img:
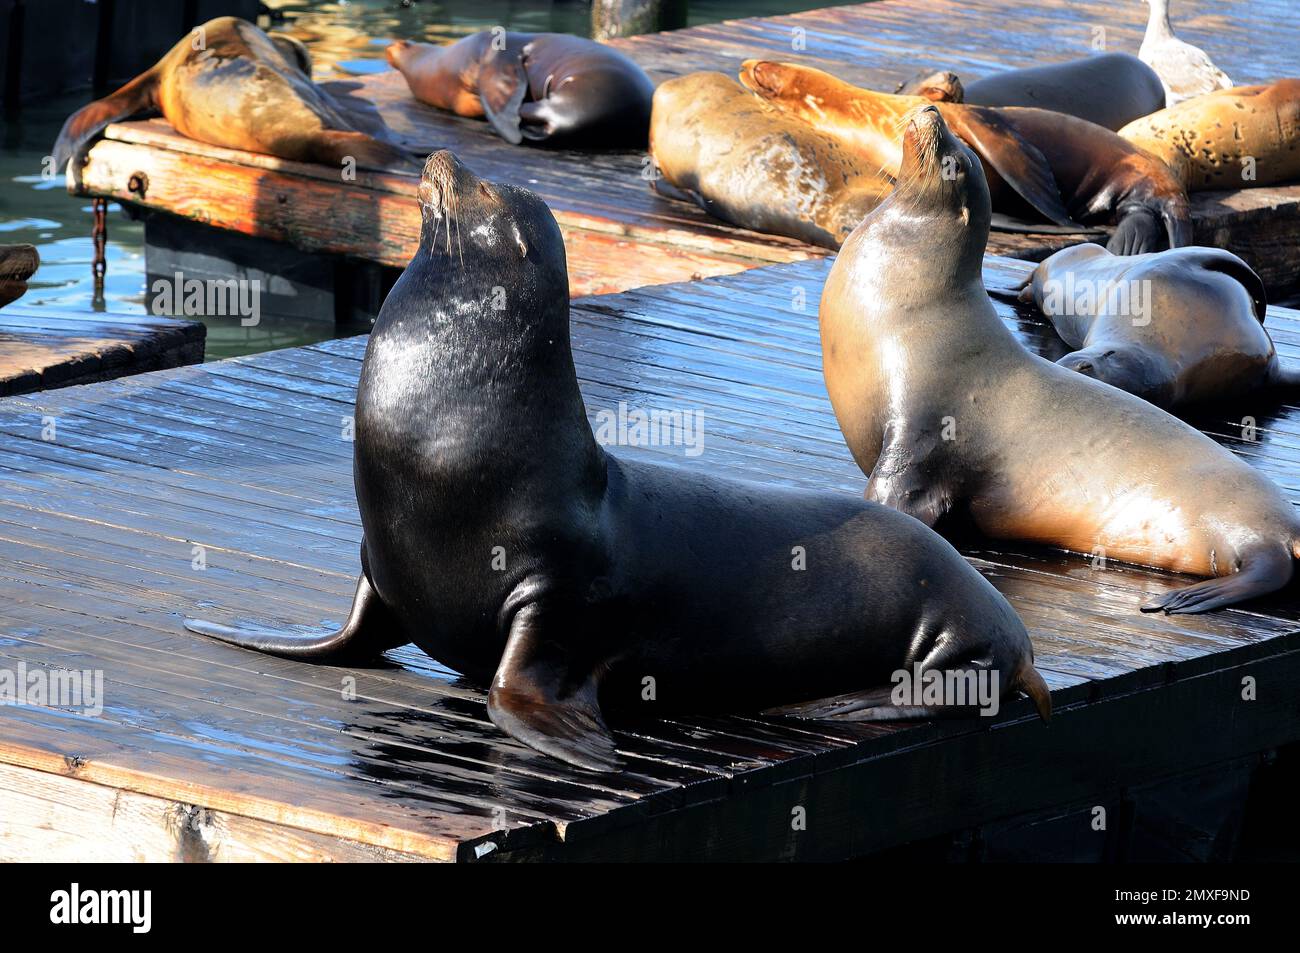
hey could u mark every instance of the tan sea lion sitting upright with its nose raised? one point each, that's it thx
(948, 413)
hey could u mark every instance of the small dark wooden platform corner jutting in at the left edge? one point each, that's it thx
(54, 348)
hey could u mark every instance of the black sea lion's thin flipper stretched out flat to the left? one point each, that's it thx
(369, 633)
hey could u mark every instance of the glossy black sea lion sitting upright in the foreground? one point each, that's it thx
(509, 545)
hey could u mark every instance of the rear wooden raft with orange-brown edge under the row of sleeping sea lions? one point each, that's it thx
(619, 233)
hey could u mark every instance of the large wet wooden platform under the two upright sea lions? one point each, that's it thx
(206, 752)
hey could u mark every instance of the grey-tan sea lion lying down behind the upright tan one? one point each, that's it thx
(1176, 328)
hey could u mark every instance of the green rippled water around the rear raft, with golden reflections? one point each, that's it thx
(41, 213)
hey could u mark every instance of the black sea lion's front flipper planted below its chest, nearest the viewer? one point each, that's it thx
(539, 699)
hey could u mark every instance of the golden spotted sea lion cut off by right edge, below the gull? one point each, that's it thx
(1241, 138)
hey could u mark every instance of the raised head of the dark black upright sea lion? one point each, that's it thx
(469, 222)
